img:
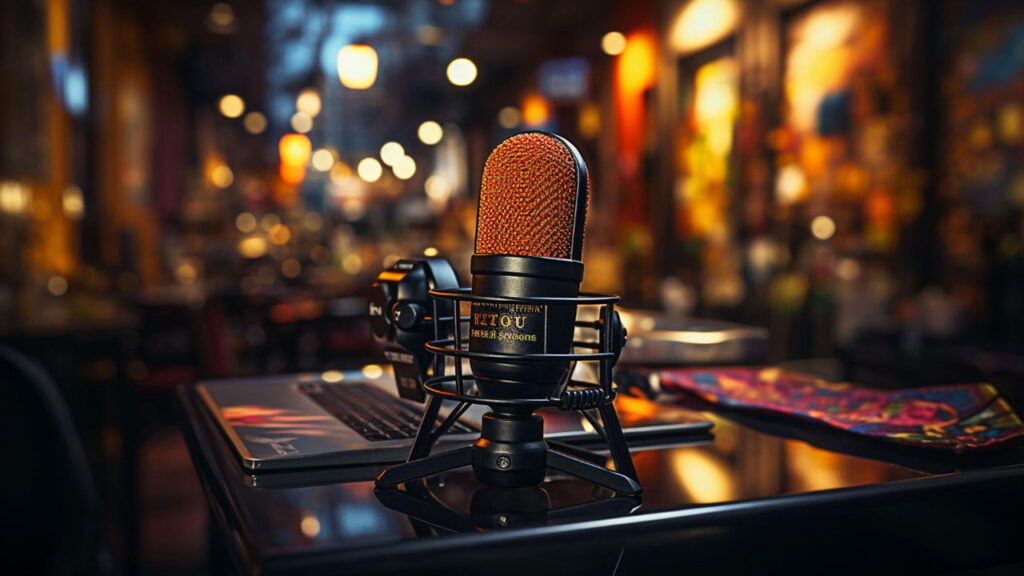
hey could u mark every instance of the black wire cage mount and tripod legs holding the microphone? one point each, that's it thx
(511, 451)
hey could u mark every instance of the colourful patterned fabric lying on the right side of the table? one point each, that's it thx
(954, 418)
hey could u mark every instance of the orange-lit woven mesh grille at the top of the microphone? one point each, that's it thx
(529, 198)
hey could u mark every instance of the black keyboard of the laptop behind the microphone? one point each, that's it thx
(371, 412)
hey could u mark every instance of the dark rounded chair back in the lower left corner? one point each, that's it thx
(49, 505)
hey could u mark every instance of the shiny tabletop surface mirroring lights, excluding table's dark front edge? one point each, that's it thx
(739, 465)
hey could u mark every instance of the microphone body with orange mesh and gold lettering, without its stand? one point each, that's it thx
(530, 228)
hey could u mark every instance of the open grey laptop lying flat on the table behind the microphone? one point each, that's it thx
(357, 419)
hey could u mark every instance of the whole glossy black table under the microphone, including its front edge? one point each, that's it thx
(750, 502)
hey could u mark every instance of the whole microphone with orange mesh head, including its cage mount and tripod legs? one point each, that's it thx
(527, 272)
